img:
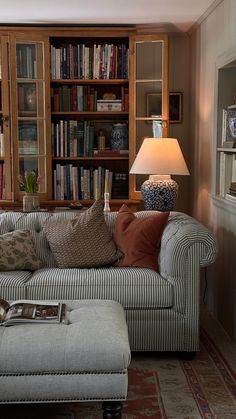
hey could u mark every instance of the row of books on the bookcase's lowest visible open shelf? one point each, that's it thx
(77, 182)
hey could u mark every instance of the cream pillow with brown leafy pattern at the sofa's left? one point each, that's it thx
(17, 251)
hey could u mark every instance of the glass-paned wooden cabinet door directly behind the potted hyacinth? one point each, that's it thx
(30, 124)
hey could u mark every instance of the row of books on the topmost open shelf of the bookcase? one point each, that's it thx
(102, 61)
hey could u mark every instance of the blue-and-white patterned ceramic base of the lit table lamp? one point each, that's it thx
(159, 195)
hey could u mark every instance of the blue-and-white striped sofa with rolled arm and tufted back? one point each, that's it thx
(162, 309)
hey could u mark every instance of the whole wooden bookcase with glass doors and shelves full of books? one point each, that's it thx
(52, 81)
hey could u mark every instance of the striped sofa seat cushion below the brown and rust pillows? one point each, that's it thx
(132, 287)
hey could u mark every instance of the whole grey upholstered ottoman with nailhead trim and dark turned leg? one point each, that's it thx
(86, 359)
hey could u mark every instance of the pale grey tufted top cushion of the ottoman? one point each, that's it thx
(94, 340)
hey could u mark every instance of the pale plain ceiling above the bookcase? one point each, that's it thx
(170, 15)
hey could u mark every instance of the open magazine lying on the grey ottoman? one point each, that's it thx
(28, 311)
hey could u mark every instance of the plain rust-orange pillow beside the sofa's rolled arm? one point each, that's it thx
(139, 238)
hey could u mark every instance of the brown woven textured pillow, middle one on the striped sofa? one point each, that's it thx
(84, 241)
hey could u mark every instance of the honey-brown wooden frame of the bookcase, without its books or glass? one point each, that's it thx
(9, 38)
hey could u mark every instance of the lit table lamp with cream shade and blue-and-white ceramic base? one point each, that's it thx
(159, 158)
